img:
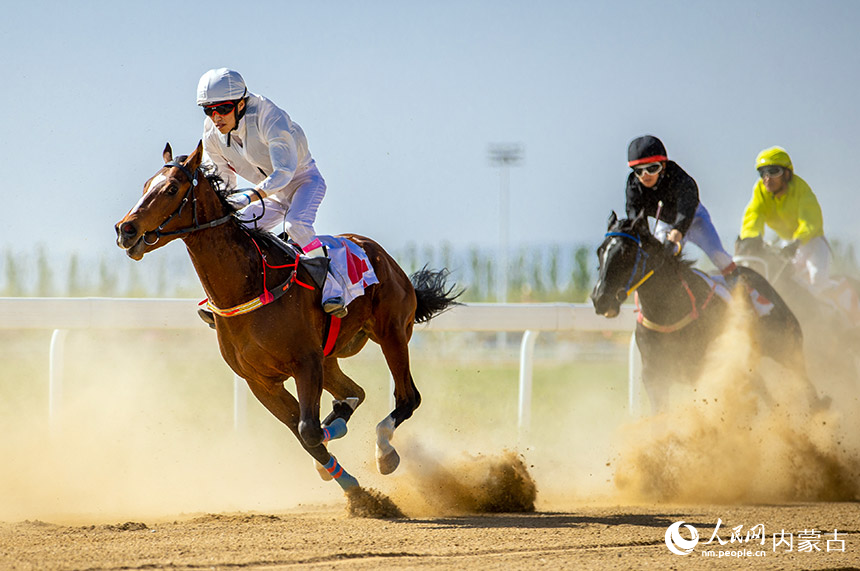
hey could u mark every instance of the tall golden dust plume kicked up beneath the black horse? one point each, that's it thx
(746, 433)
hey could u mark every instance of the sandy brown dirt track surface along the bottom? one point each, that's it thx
(325, 537)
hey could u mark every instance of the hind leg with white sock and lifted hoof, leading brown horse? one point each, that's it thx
(406, 397)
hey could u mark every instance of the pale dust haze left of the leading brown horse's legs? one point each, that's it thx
(143, 430)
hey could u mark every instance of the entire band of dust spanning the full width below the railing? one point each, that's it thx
(145, 432)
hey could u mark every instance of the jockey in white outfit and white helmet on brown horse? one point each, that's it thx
(247, 135)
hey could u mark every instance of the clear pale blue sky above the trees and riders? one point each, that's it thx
(400, 101)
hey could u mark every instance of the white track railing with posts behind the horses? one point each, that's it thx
(64, 314)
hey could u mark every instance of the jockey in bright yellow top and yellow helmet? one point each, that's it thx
(784, 201)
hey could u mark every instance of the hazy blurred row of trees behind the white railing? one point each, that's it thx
(556, 273)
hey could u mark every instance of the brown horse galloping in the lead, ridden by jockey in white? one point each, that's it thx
(281, 331)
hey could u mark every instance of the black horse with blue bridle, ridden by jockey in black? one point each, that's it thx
(680, 311)
